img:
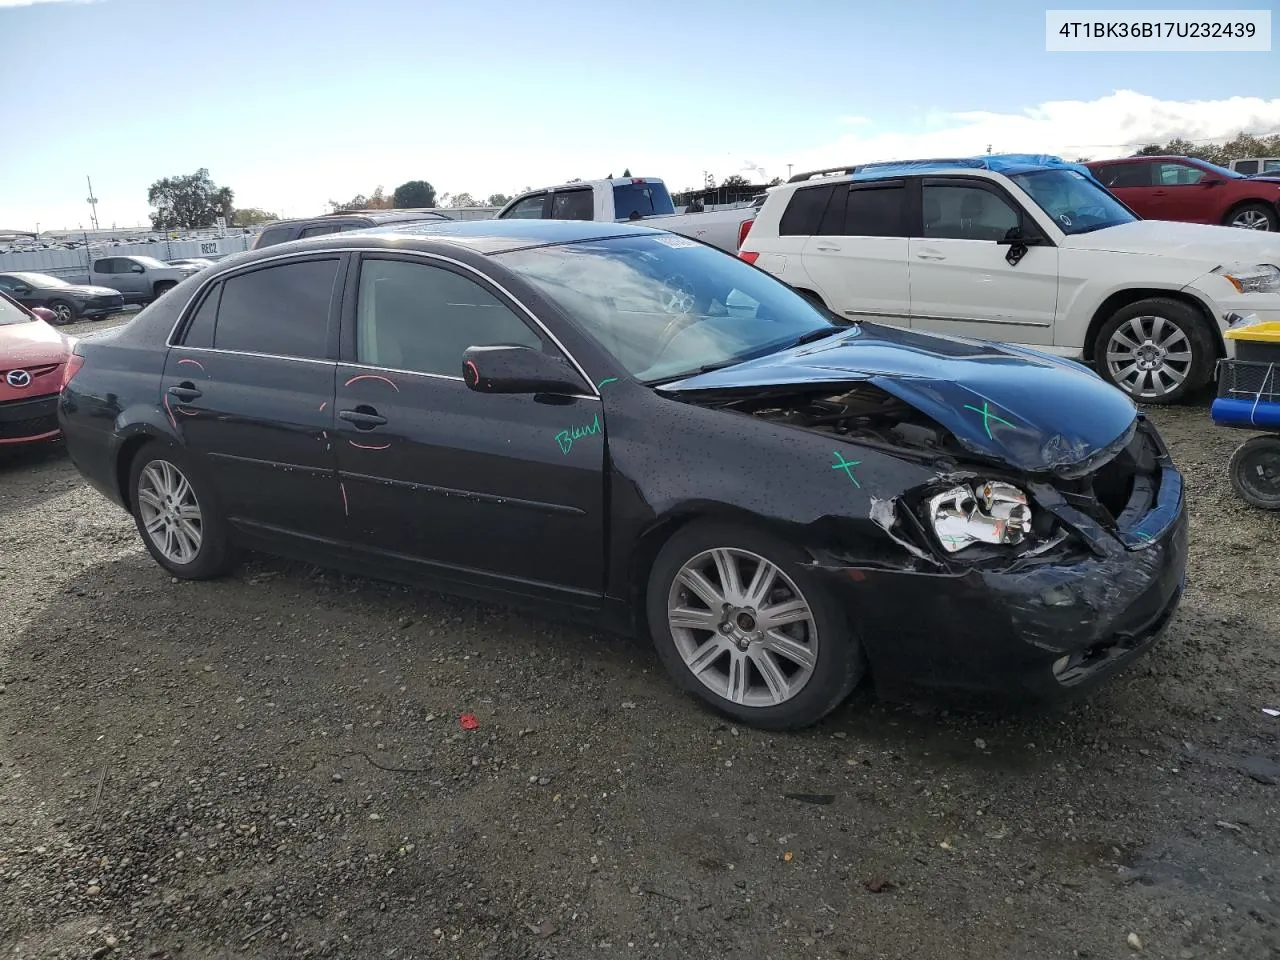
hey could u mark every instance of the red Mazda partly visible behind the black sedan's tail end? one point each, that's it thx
(33, 360)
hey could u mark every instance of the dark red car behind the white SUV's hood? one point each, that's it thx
(1192, 191)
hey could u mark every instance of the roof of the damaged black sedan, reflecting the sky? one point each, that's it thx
(481, 236)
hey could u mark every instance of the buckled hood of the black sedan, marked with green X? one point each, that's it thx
(1034, 412)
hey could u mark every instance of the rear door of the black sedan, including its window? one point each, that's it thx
(249, 388)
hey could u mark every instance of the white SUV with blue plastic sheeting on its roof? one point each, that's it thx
(1026, 250)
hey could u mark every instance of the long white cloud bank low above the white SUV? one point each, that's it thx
(1112, 126)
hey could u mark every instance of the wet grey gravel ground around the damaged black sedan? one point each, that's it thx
(272, 766)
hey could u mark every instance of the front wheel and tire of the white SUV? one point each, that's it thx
(1158, 351)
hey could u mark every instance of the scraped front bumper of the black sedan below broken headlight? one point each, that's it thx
(1045, 632)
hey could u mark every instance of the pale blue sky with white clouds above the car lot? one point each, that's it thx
(295, 103)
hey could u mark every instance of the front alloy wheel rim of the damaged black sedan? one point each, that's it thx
(743, 628)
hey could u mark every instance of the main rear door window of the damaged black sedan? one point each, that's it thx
(278, 310)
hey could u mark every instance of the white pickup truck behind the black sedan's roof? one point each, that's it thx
(632, 199)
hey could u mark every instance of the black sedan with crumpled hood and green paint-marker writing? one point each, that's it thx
(644, 432)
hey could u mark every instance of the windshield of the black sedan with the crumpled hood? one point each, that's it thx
(668, 307)
